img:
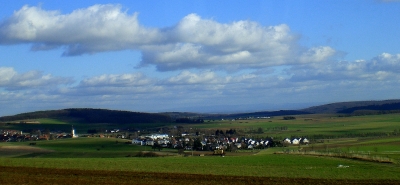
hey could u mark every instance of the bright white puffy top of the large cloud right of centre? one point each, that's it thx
(230, 37)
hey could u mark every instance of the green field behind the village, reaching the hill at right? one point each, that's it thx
(303, 125)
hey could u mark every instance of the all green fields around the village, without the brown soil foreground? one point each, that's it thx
(293, 162)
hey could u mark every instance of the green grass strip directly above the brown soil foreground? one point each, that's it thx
(294, 166)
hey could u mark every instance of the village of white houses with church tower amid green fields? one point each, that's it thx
(218, 140)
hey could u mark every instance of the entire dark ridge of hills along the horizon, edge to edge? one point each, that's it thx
(87, 115)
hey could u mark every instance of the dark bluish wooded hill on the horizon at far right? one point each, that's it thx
(350, 107)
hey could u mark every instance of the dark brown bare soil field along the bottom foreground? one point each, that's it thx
(29, 175)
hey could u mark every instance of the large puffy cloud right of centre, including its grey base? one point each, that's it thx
(202, 43)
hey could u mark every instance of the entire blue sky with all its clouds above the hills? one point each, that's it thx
(196, 56)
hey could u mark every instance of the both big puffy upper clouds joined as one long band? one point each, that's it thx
(193, 42)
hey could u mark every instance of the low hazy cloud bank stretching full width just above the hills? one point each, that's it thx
(323, 81)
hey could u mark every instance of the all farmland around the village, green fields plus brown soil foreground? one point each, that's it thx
(102, 160)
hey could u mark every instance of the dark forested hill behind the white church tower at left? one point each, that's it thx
(92, 116)
